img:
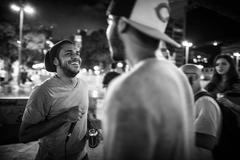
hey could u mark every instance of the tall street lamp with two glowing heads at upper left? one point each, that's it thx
(21, 9)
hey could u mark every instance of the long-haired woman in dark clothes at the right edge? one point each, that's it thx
(225, 82)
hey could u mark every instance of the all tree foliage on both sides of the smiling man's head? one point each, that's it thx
(94, 51)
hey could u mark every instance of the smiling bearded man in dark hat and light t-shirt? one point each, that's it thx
(56, 112)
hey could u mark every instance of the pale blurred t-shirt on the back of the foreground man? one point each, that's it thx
(149, 114)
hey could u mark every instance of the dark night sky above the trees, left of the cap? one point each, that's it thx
(66, 16)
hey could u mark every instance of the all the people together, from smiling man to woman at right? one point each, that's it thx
(153, 111)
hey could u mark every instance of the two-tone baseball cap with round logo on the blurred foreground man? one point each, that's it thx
(147, 18)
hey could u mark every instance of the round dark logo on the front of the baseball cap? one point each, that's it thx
(162, 11)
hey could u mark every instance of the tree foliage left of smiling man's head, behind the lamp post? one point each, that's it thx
(34, 42)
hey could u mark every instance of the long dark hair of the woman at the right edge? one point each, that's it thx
(232, 73)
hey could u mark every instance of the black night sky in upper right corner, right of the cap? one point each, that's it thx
(221, 21)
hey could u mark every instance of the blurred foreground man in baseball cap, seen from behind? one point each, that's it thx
(149, 110)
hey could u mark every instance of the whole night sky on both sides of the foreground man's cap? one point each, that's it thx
(204, 23)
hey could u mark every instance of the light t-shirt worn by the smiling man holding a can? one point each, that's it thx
(50, 99)
